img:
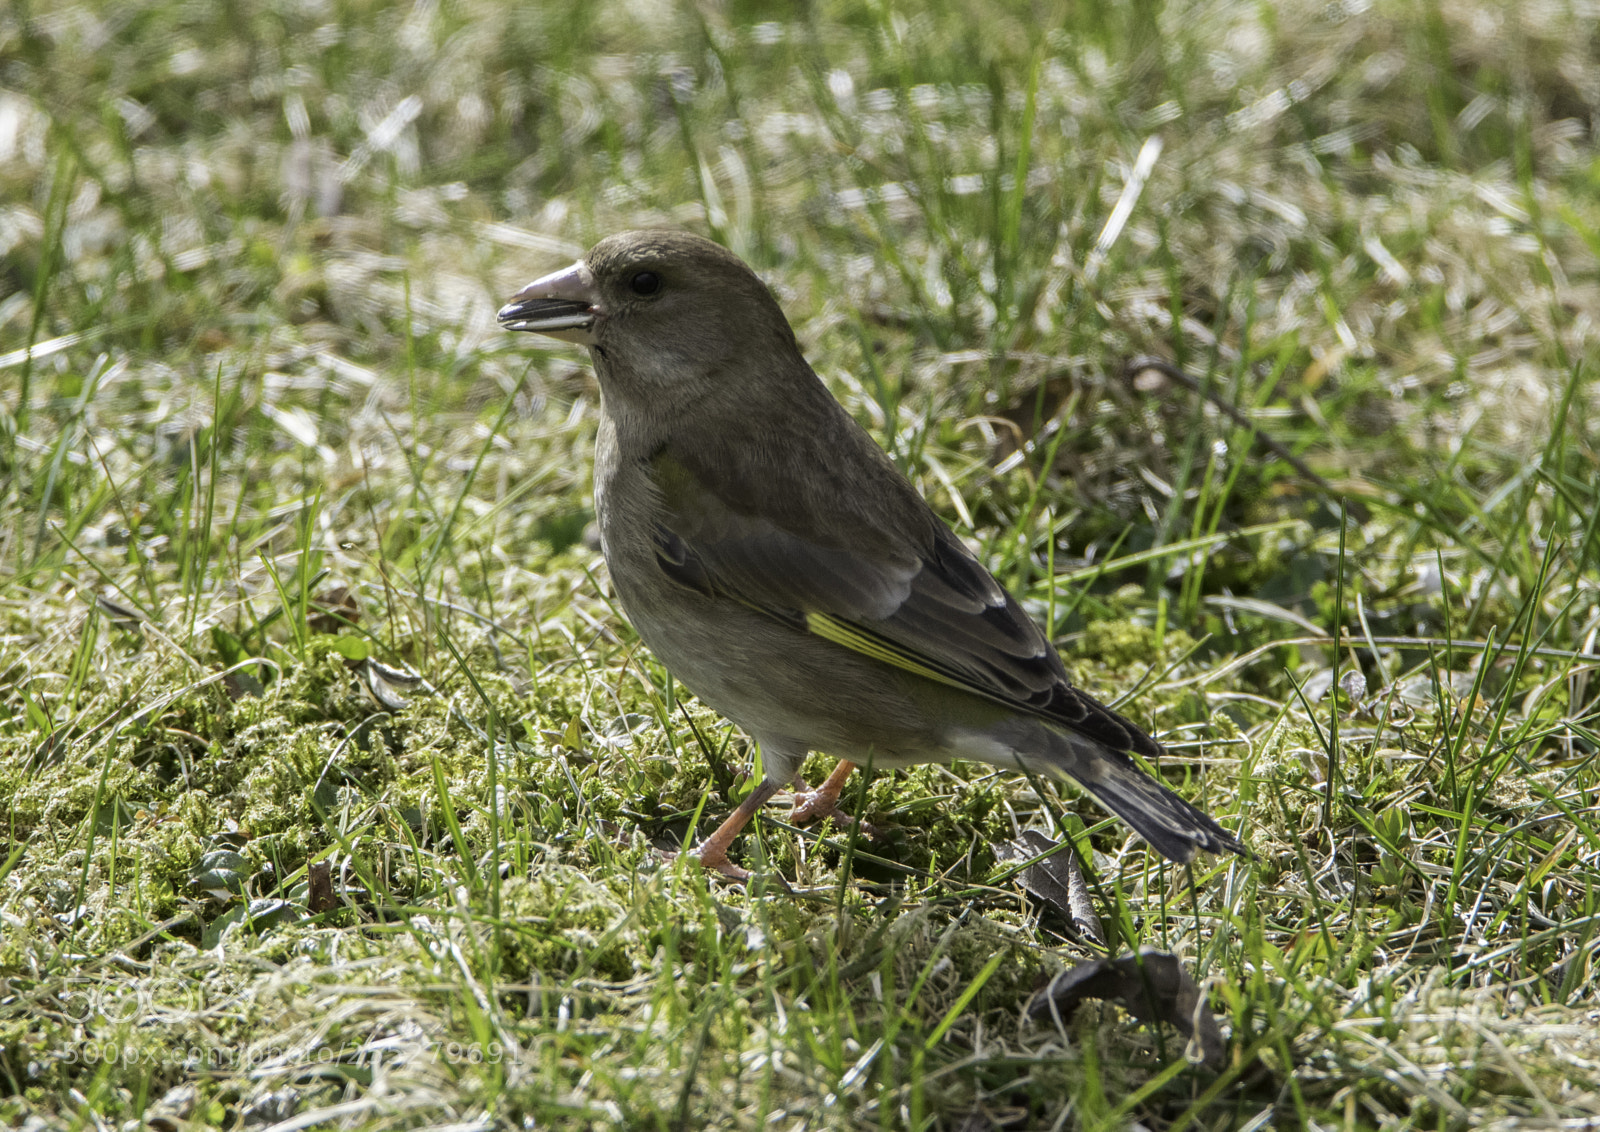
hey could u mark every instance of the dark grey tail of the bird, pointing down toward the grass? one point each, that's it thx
(1164, 819)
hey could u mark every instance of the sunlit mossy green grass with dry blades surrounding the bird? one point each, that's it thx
(258, 429)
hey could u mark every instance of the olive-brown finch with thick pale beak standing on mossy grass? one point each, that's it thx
(780, 565)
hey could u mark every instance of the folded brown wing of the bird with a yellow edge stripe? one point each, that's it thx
(903, 591)
